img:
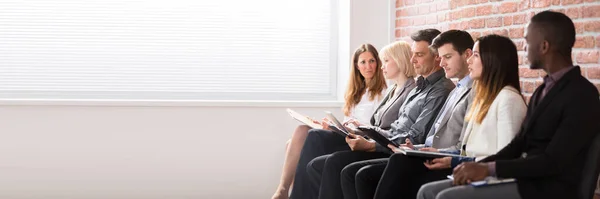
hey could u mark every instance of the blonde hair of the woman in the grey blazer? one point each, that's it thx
(401, 53)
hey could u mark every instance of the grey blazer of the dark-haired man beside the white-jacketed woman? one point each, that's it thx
(449, 131)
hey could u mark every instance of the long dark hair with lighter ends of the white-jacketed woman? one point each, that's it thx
(500, 68)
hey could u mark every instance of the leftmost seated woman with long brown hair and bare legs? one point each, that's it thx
(364, 93)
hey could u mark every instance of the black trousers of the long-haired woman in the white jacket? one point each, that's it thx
(403, 176)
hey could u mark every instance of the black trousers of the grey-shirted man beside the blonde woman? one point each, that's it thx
(325, 171)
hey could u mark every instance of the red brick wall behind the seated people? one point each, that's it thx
(508, 18)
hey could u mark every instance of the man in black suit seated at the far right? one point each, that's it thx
(547, 156)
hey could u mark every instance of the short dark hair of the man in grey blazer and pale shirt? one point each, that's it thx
(461, 40)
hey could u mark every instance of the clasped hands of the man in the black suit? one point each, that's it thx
(469, 172)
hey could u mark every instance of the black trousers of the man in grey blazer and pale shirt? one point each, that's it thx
(369, 171)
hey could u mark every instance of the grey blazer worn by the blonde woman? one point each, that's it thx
(389, 113)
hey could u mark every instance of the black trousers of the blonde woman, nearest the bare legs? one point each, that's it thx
(318, 142)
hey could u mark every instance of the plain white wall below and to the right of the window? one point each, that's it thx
(146, 151)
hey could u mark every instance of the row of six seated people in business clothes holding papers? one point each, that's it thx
(483, 117)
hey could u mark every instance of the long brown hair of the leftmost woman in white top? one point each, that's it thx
(357, 86)
